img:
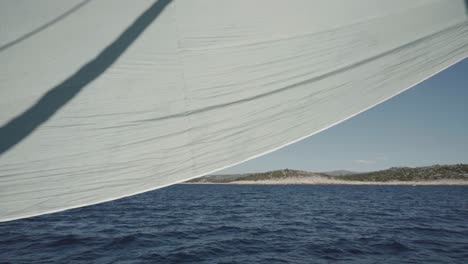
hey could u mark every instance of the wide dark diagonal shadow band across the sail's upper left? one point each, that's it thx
(24, 124)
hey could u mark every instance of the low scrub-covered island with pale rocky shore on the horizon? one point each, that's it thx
(430, 175)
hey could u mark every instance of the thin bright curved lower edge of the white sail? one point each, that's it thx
(236, 163)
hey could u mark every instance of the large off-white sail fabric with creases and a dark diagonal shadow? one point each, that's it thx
(104, 99)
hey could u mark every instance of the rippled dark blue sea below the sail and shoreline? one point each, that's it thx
(252, 224)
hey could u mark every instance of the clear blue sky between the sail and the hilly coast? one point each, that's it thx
(426, 125)
